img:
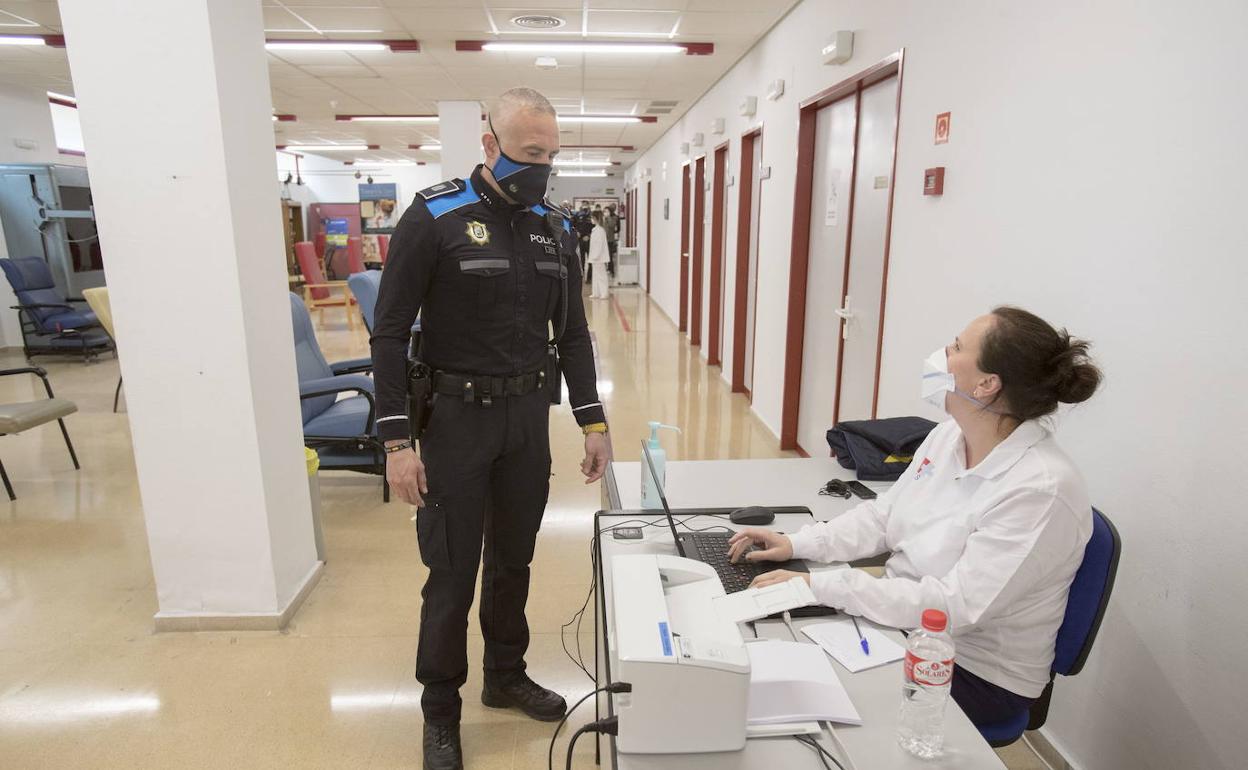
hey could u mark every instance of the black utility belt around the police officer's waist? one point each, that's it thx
(424, 383)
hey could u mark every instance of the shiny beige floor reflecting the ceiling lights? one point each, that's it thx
(85, 683)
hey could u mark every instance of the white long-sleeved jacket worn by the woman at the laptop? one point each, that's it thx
(995, 547)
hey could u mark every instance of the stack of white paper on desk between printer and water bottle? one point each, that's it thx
(796, 682)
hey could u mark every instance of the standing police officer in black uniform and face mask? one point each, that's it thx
(492, 270)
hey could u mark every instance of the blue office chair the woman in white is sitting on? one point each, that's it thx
(1085, 610)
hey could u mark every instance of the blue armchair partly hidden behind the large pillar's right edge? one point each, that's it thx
(343, 431)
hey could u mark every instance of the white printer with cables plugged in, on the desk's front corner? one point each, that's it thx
(685, 657)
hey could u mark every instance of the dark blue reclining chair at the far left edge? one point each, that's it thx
(49, 323)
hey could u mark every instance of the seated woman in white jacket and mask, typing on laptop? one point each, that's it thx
(988, 525)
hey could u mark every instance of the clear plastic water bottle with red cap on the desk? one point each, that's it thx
(925, 692)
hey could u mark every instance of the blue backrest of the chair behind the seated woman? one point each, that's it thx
(1090, 596)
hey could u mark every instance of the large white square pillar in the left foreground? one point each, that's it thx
(175, 107)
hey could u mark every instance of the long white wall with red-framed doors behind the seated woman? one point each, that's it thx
(1094, 177)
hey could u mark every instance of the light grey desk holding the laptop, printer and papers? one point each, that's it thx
(877, 692)
